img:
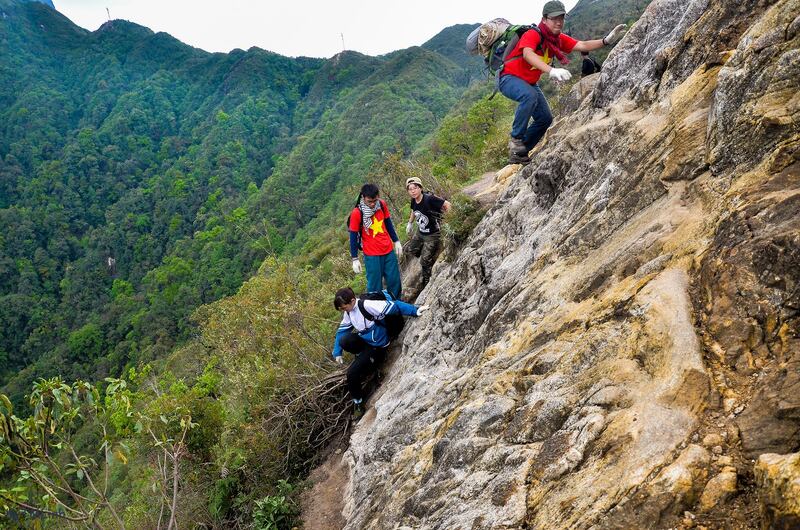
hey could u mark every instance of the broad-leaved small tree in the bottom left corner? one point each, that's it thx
(52, 478)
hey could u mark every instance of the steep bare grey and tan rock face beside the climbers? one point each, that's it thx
(643, 266)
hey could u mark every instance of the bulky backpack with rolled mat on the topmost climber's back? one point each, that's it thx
(496, 39)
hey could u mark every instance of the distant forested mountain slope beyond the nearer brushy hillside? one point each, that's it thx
(141, 177)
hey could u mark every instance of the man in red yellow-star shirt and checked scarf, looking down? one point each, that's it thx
(370, 222)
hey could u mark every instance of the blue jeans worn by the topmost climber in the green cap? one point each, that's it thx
(532, 104)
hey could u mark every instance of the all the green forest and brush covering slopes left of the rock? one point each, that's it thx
(171, 228)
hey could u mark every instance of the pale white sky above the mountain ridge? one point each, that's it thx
(312, 28)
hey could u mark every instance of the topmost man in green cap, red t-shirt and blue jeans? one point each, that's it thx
(524, 66)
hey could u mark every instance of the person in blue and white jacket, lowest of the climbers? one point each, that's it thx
(367, 328)
